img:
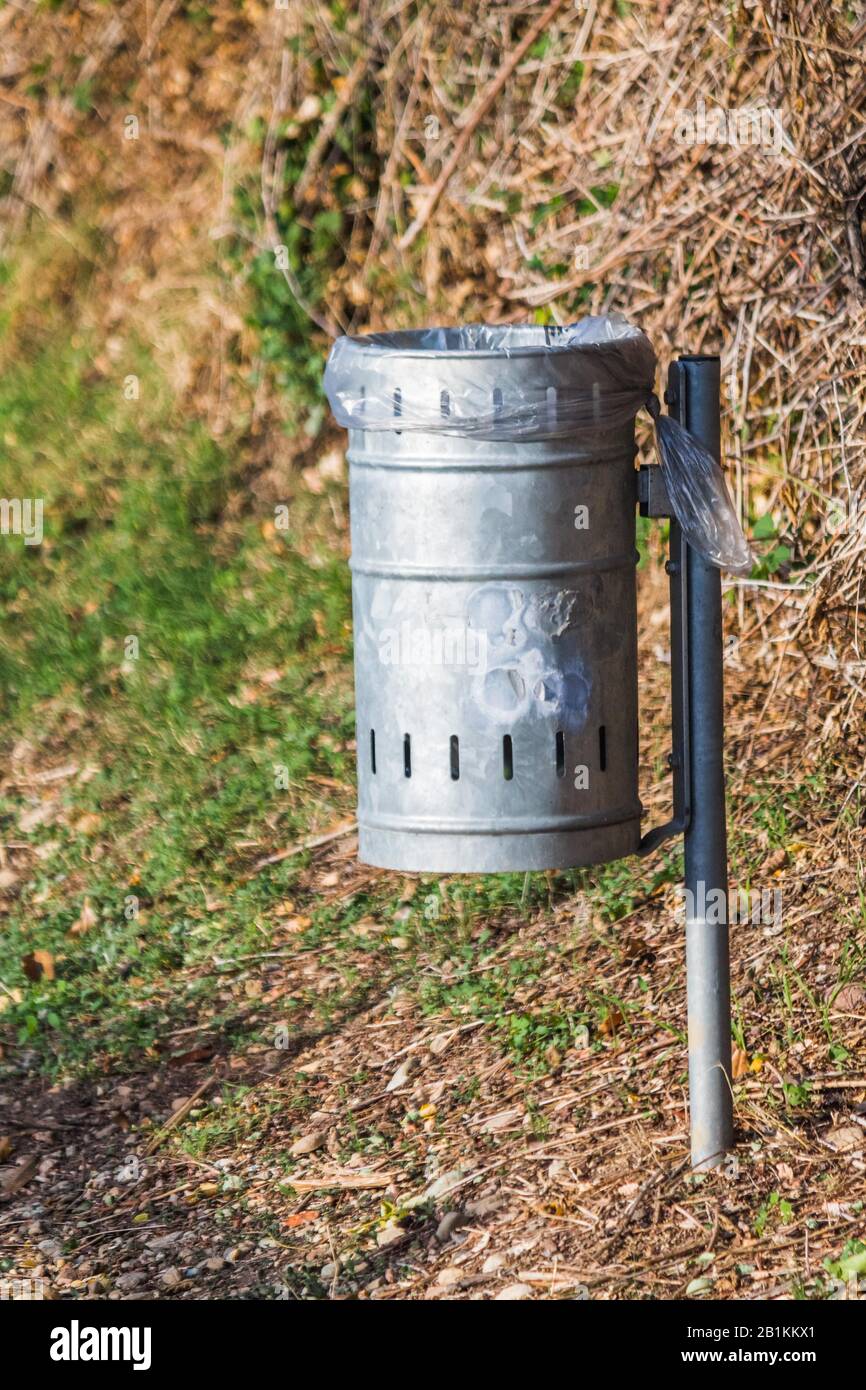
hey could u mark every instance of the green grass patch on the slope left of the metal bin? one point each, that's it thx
(136, 640)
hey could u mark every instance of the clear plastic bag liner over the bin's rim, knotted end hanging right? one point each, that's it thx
(515, 383)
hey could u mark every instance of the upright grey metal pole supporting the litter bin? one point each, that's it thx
(694, 401)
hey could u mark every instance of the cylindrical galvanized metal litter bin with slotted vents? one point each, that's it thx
(496, 630)
